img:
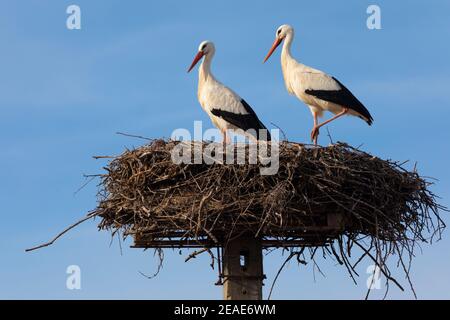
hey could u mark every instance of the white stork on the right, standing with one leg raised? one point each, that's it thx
(319, 91)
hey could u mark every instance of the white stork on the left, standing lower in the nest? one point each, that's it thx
(226, 109)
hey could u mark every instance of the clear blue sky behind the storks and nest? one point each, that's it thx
(64, 94)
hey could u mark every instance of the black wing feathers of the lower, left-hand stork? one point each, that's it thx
(243, 121)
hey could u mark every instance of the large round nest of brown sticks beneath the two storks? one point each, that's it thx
(377, 203)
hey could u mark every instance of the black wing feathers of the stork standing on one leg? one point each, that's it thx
(344, 98)
